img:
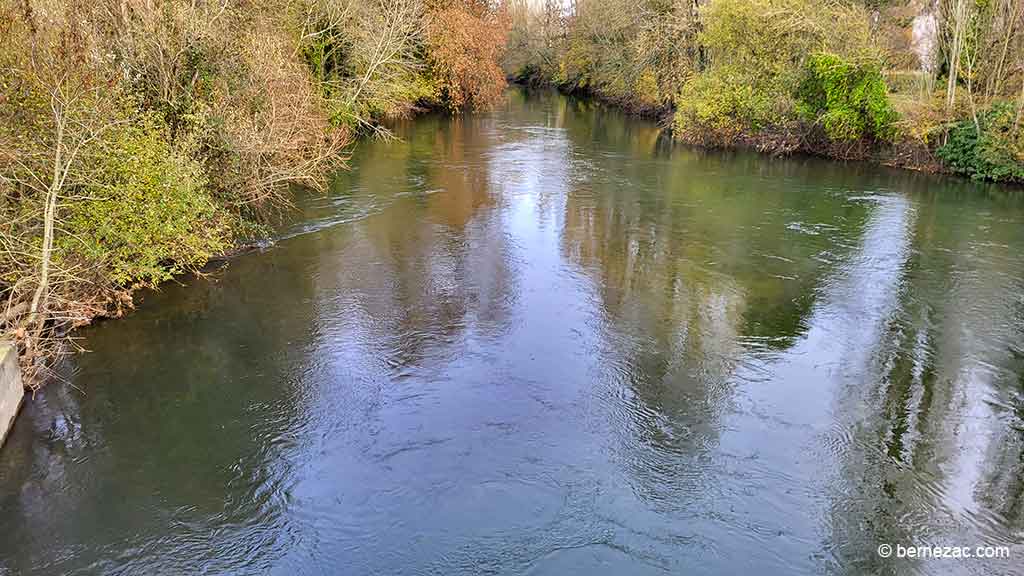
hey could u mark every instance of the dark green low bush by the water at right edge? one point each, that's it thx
(994, 150)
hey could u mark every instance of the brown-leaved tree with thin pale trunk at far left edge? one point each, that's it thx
(56, 106)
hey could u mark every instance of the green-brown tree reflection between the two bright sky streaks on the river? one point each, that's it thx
(696, 263)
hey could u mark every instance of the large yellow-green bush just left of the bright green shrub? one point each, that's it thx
(756, 52)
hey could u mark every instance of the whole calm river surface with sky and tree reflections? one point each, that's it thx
(545, 341)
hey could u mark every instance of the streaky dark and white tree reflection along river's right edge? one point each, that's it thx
(933, 457)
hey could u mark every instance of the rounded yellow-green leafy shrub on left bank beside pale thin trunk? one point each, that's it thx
(146, 214)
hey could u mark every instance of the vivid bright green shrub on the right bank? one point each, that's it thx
(849, 101)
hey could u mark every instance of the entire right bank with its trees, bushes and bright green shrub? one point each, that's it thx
(849, 81)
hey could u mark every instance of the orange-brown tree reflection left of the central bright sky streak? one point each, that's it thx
(438, 262)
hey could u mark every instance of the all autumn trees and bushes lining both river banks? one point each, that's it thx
(141, 139)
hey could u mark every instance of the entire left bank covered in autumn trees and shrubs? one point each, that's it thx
(140, 141)
